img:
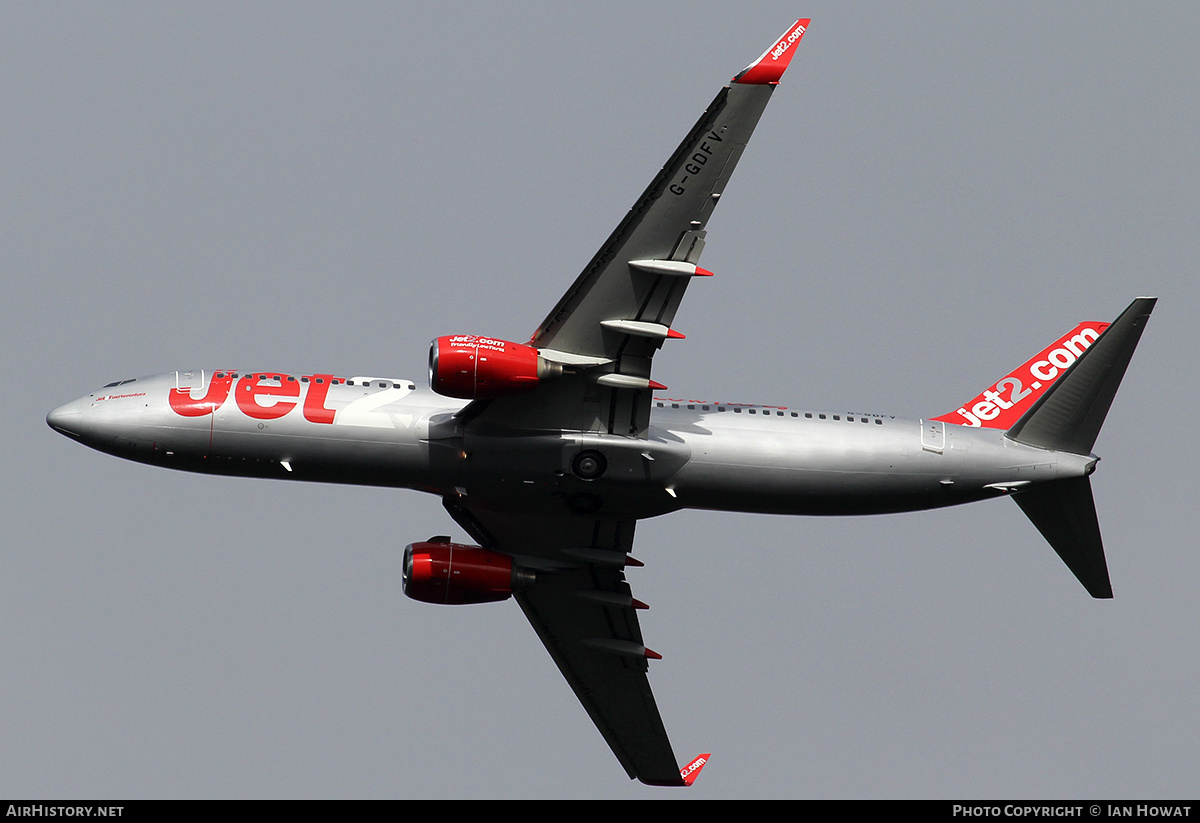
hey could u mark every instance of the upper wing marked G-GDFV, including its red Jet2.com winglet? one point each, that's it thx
(617, 314)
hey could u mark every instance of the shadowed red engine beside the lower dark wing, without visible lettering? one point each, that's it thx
(454, 574)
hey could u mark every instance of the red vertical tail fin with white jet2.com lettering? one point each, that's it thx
(1003, 405)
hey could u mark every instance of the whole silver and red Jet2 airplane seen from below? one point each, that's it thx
(549, 453)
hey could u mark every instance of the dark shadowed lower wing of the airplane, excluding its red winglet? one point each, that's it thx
(584, 612)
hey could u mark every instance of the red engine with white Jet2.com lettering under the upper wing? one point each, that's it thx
(477, 368)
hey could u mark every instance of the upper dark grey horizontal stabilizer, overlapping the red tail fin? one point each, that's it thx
(1069, 417)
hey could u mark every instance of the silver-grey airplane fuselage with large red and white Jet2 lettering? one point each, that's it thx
(699, 455)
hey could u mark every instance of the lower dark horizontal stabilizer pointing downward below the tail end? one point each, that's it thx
(1065, 514)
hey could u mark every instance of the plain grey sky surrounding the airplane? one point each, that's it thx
(935, 193)
